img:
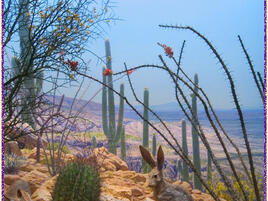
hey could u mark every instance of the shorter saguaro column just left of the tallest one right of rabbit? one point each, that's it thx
(185, 170)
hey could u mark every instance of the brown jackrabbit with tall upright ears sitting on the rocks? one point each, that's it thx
(162, 190)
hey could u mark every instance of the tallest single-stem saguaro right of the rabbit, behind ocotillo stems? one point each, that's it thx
(196, 152)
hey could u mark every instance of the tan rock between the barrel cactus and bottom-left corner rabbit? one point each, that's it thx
(35, 179)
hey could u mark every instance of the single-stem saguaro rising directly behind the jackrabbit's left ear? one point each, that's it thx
(145, 137)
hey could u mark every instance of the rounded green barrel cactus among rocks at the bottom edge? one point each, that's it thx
(77, 182)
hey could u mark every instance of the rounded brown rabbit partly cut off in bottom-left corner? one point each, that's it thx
(18, 191)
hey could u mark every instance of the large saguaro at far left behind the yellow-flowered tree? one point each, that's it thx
(32, 83)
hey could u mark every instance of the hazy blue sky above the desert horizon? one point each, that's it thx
(134, 41)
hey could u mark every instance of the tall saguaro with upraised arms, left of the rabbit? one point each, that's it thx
(112, 134)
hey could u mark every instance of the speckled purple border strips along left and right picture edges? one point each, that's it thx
(265, 100)
